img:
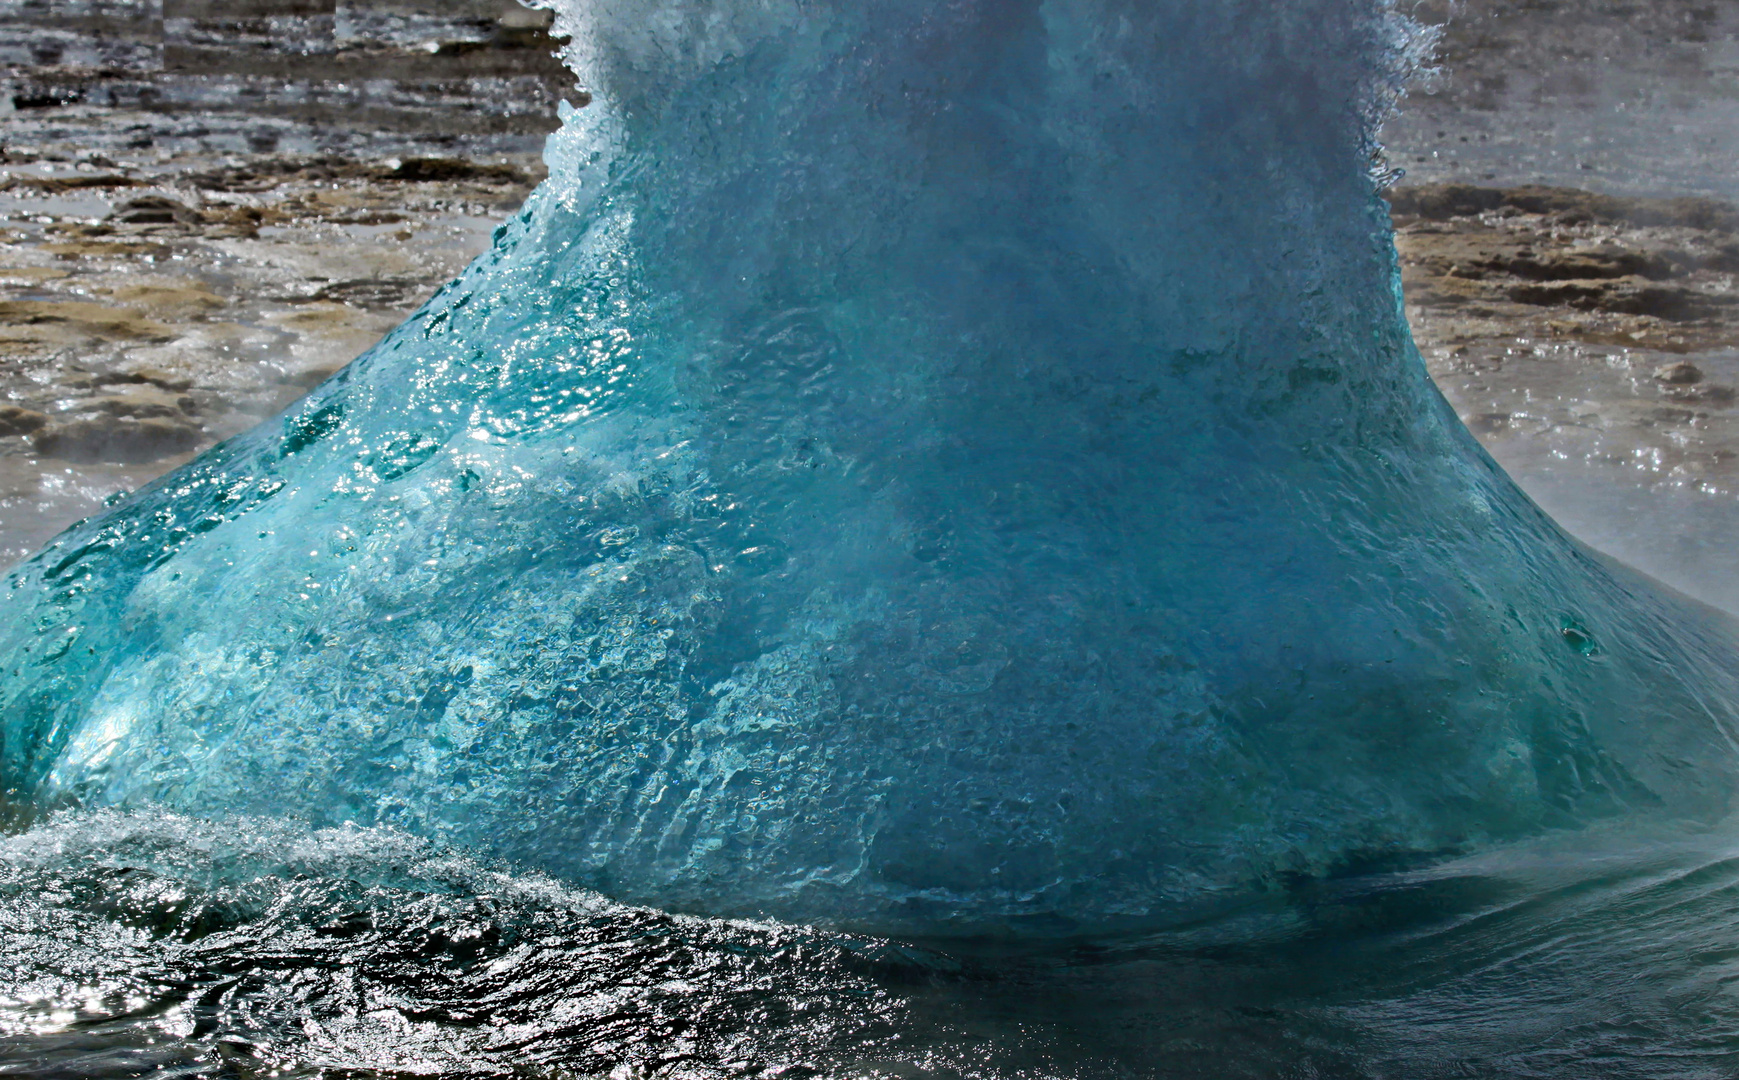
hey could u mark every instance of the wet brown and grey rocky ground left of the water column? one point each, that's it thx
(210, 208)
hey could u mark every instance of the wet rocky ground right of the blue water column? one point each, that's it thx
(1547, 312)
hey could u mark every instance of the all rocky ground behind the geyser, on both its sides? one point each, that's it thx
(210, 206)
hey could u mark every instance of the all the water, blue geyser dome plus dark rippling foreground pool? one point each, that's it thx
(940, 472)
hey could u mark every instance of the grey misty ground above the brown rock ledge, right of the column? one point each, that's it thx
(1627, 97)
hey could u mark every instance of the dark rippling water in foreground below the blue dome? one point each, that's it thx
(159, 945)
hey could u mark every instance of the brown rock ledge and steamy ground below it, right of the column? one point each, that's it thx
(1592, 343)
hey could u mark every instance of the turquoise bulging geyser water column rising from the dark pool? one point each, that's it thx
(912, 463)
